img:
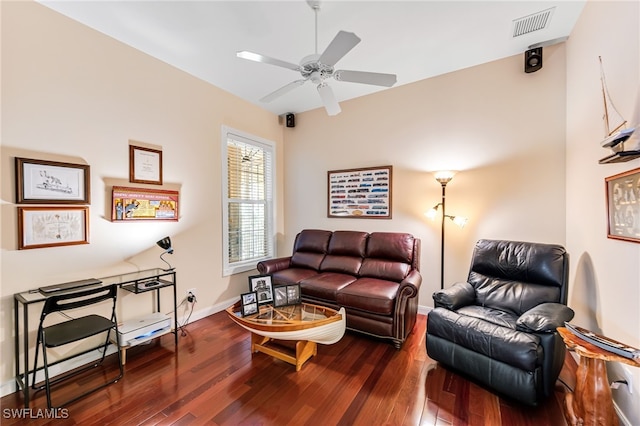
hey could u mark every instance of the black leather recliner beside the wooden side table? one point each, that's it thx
(499, 327)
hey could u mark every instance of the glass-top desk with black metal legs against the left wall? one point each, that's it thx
(134, 282)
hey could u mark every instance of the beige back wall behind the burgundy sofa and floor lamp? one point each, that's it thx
(501, 128)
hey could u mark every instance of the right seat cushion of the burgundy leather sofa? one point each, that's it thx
(370, 295)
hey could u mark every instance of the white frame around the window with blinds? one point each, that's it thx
(228, 267)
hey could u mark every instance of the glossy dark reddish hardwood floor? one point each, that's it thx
(213, 379)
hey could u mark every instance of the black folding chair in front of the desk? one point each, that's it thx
(74, 330)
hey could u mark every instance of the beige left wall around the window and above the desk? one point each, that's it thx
(72, 94)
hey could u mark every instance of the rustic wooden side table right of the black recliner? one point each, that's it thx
(591, 403)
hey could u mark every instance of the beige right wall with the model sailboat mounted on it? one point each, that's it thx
(605, 276)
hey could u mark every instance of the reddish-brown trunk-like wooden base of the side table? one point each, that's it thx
(591, 402)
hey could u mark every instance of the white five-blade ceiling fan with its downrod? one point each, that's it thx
(319, 67)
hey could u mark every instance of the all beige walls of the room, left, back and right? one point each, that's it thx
(72, 94)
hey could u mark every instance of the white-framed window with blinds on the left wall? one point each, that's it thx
(248, 164)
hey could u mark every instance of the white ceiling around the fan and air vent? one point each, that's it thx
(413, 39)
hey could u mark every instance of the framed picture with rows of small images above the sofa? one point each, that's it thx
(360, 193)
